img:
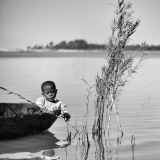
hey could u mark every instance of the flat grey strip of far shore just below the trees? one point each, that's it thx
(69, 53)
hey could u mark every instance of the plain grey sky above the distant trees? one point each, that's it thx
(28, 22)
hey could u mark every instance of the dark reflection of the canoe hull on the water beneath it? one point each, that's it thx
(33, 143)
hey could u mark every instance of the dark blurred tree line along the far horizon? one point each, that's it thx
(83, 45)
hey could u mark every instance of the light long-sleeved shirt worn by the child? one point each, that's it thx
(58, 105)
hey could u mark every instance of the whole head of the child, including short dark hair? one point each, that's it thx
(49, 90)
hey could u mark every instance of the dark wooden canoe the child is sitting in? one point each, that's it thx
(20, 119)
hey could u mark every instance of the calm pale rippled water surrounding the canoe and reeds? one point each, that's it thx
(25, 75)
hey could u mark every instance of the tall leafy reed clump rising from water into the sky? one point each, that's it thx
(119, 66)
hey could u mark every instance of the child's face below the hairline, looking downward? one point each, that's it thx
(49, 92)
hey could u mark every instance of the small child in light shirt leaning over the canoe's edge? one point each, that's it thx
(49, 102)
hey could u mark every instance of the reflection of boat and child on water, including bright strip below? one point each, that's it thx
(38, 146)
